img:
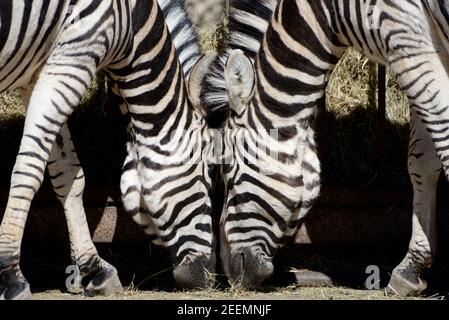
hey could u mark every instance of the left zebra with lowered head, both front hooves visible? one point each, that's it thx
(53, 50)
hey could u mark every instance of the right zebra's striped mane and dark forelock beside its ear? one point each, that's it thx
(248, 22)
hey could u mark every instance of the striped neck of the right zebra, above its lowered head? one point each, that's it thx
(293, 65)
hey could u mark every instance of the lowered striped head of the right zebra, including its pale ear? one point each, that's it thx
(263, 177)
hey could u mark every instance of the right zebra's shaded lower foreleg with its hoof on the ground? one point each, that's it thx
(424, 169)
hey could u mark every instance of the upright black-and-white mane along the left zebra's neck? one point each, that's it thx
(183, 33)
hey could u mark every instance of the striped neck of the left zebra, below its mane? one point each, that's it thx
(156, 98)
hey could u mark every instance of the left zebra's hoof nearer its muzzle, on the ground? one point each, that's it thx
(105, 283)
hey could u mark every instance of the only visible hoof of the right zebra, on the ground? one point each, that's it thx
(401, 285)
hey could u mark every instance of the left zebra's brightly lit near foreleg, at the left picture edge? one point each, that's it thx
(54, 97)
